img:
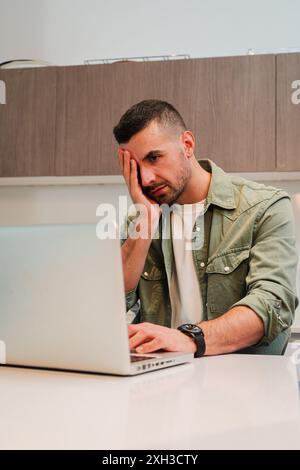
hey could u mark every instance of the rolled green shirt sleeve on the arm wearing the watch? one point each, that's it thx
(271, 279)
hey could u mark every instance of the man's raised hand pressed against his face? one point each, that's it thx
(130, 172)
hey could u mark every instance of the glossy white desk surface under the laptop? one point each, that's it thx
(233, 401)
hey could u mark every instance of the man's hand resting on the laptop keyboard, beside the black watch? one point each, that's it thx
(148, 337)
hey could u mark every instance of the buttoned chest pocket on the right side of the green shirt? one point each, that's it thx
(226, 280)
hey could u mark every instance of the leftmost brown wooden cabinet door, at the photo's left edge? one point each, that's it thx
(27, 122)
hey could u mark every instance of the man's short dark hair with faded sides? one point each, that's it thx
(140, 115)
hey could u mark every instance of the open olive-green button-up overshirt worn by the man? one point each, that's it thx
(248, 258)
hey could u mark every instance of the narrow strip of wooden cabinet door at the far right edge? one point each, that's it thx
(288, 112)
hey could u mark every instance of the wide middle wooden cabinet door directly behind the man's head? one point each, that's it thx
(229, 104)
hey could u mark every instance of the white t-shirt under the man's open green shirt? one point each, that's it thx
(185, 295)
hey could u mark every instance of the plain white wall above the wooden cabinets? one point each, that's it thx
(70, 31)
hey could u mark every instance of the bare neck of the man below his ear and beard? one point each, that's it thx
(198, 185)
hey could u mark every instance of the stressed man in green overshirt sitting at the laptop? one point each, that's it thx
(233, 292)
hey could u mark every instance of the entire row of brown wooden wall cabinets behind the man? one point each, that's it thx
(59, 120)
